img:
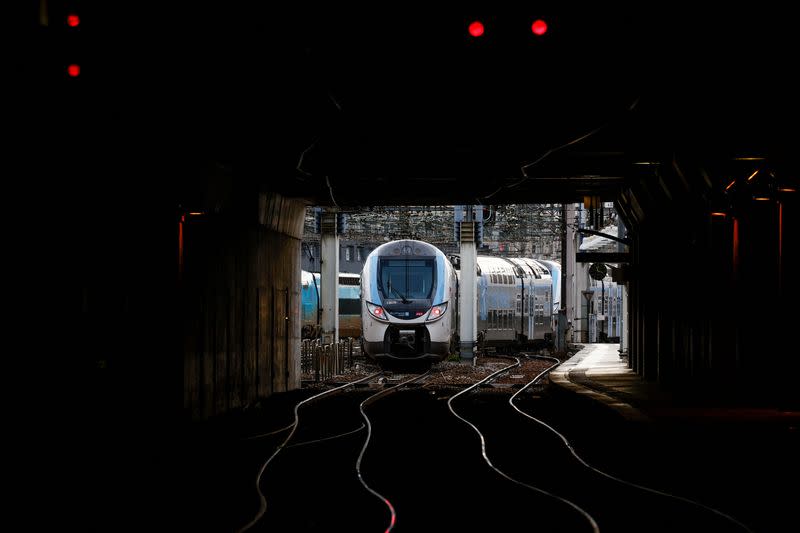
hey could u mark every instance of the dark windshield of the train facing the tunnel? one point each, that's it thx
(407, 279)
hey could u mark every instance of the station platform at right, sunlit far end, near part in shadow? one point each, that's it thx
(601, 373)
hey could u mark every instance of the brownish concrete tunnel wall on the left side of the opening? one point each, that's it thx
(240, 285)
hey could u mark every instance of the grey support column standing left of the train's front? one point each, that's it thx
(329, 278)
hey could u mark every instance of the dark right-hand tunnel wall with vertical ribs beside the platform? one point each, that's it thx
(711, 297)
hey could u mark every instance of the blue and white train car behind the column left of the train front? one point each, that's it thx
(349, 305)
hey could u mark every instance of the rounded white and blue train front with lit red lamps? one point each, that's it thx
(407, 291)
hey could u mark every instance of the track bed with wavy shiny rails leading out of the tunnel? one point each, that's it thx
(473, 449)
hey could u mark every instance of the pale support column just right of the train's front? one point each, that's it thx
(468, 316)
